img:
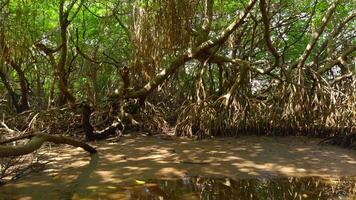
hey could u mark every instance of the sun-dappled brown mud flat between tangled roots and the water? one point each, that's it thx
(71, 172)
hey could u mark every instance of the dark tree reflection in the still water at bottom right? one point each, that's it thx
(224, 188)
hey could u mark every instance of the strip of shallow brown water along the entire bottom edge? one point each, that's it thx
(207, 188)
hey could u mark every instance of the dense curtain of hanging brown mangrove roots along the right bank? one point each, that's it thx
(293, 111)
